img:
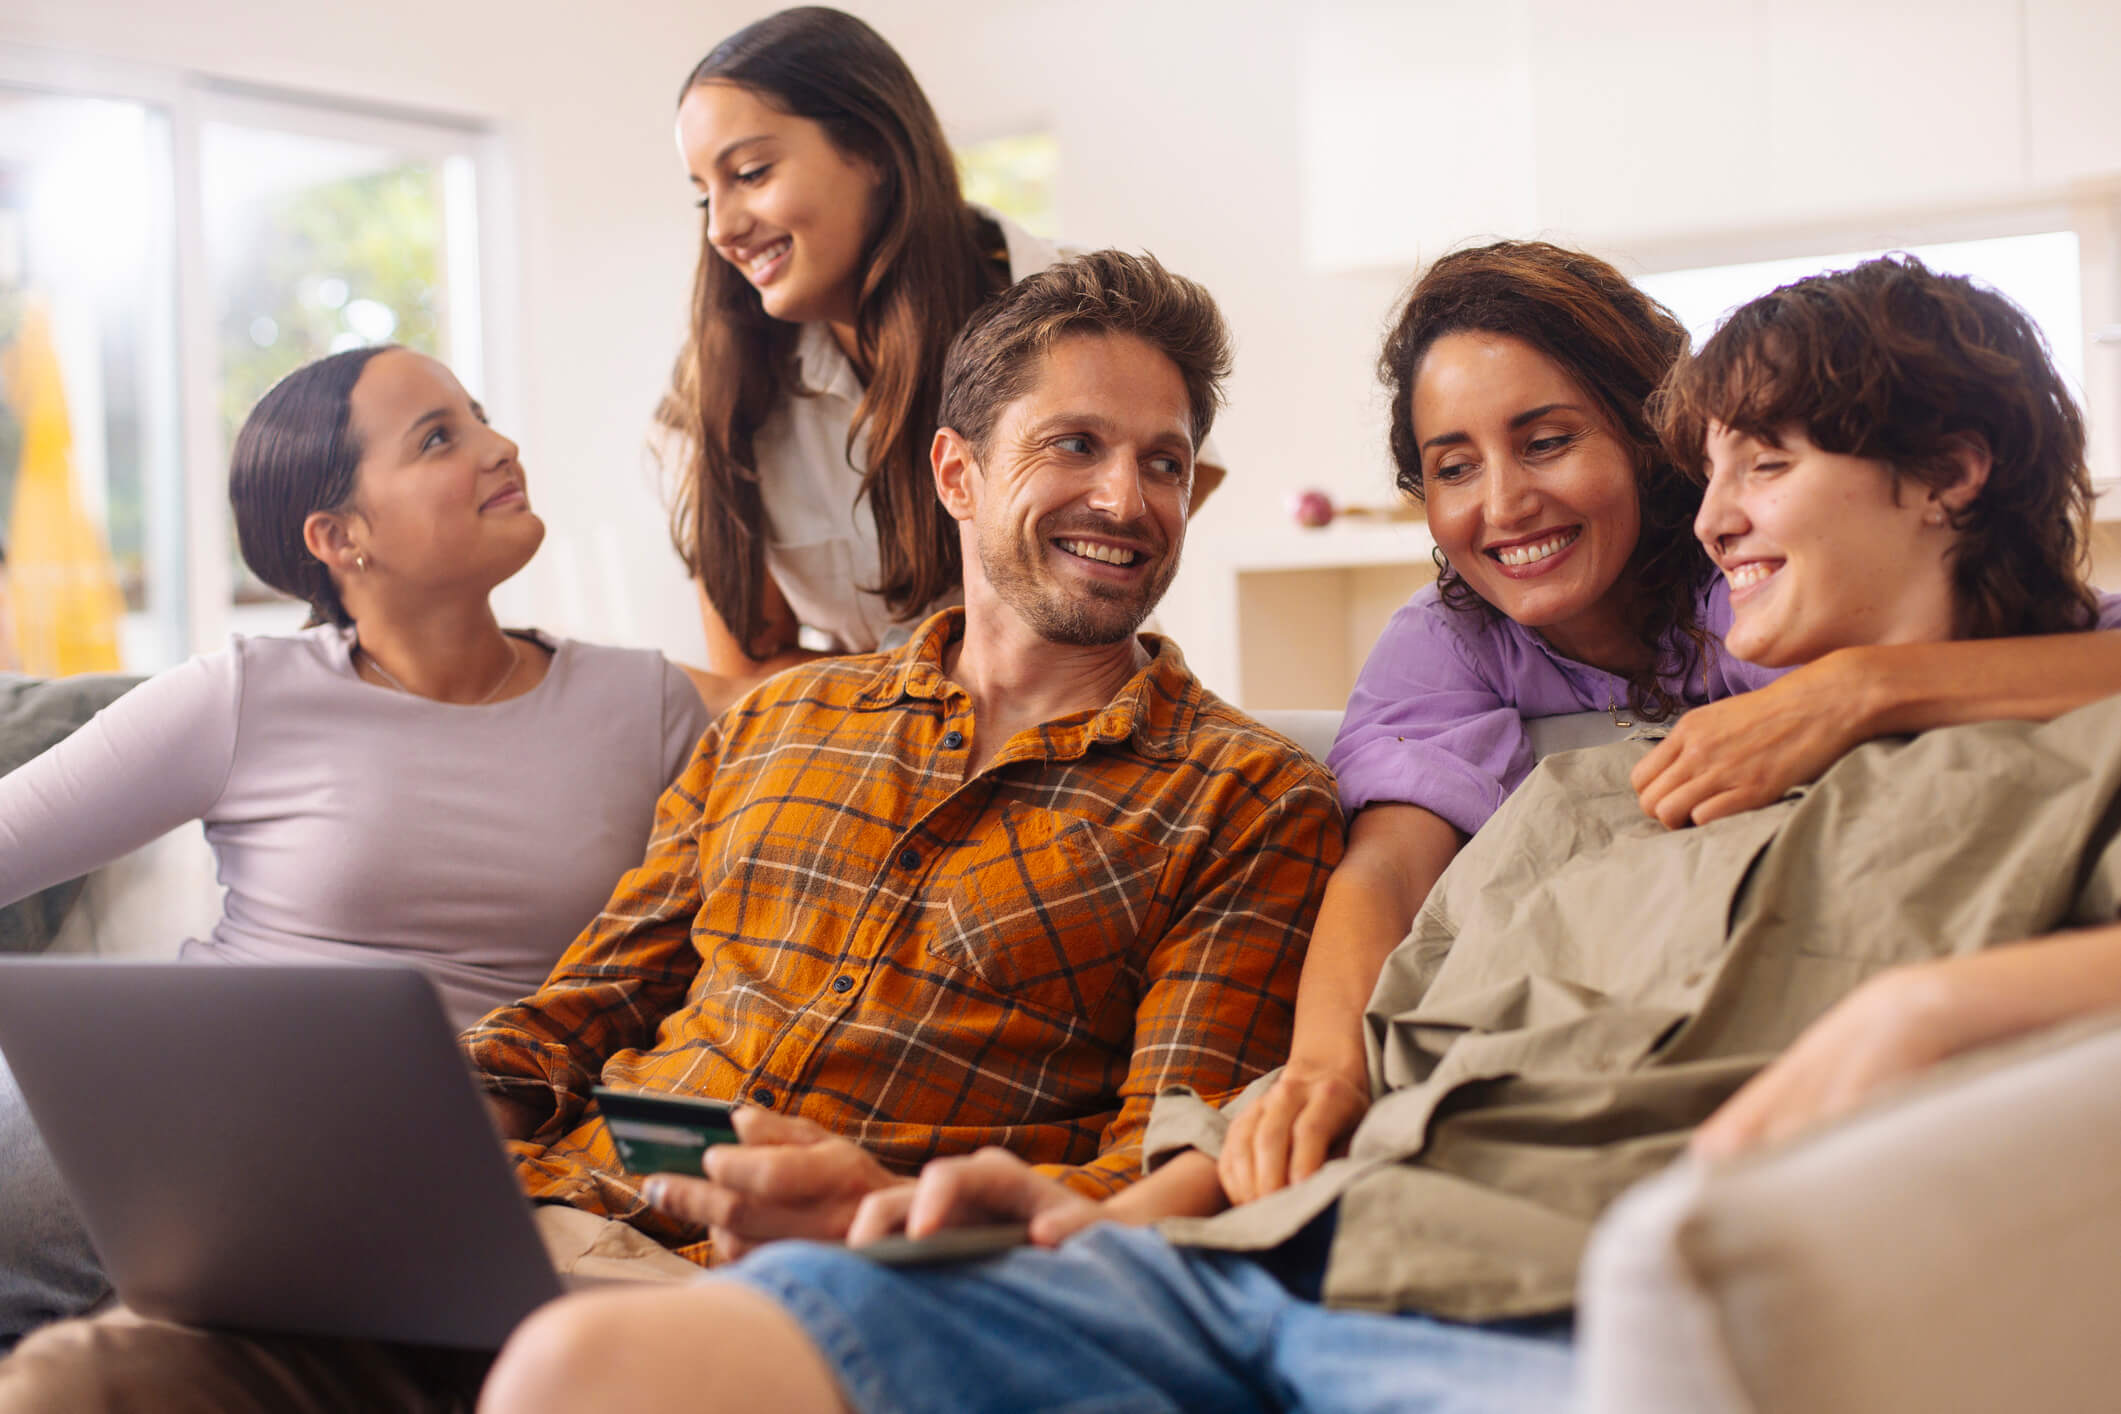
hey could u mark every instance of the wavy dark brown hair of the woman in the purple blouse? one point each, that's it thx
(1617, 344)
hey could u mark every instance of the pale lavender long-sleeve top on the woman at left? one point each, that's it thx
(355, 824)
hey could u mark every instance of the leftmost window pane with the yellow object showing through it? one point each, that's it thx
(88, 347)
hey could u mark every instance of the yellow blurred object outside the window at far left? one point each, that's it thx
(63, 588)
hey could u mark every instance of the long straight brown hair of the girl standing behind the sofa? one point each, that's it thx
(924, 270)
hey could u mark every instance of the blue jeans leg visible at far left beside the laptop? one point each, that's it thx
(48, 1267)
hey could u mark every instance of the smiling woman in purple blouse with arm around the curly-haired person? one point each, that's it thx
(1571, 582)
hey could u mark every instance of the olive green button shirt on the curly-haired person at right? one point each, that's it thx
(1585, 987)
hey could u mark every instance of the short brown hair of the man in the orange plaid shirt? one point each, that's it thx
(998, 353)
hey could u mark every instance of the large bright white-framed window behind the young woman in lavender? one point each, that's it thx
(188, 245)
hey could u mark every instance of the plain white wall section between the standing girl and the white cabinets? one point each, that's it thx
(1182, 132)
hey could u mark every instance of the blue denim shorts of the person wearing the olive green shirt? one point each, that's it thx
(1119, 1322)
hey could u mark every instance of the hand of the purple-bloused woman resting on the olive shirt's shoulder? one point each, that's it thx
(1749, 752)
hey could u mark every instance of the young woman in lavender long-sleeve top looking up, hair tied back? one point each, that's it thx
(402, 781)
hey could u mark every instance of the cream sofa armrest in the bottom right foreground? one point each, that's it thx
(1948, 1250)
